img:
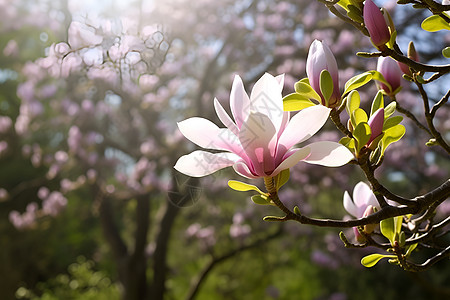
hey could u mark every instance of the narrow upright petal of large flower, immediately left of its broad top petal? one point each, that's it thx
(239, 101)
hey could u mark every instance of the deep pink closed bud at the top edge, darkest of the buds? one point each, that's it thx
(375, 24)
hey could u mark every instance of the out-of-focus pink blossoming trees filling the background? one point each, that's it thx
(90, 97)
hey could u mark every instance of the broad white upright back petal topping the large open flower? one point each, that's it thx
(266, 99)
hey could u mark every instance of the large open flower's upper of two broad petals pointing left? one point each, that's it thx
(207, 135)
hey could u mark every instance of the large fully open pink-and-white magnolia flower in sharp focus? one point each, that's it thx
(259, 141)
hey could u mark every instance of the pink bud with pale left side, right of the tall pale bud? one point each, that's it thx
(392, 73)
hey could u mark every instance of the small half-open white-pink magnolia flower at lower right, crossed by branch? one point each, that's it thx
(362, 205)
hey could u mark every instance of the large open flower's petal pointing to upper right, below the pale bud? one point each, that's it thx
(304, 125)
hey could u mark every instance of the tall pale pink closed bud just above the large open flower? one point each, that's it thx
(321, 58)
